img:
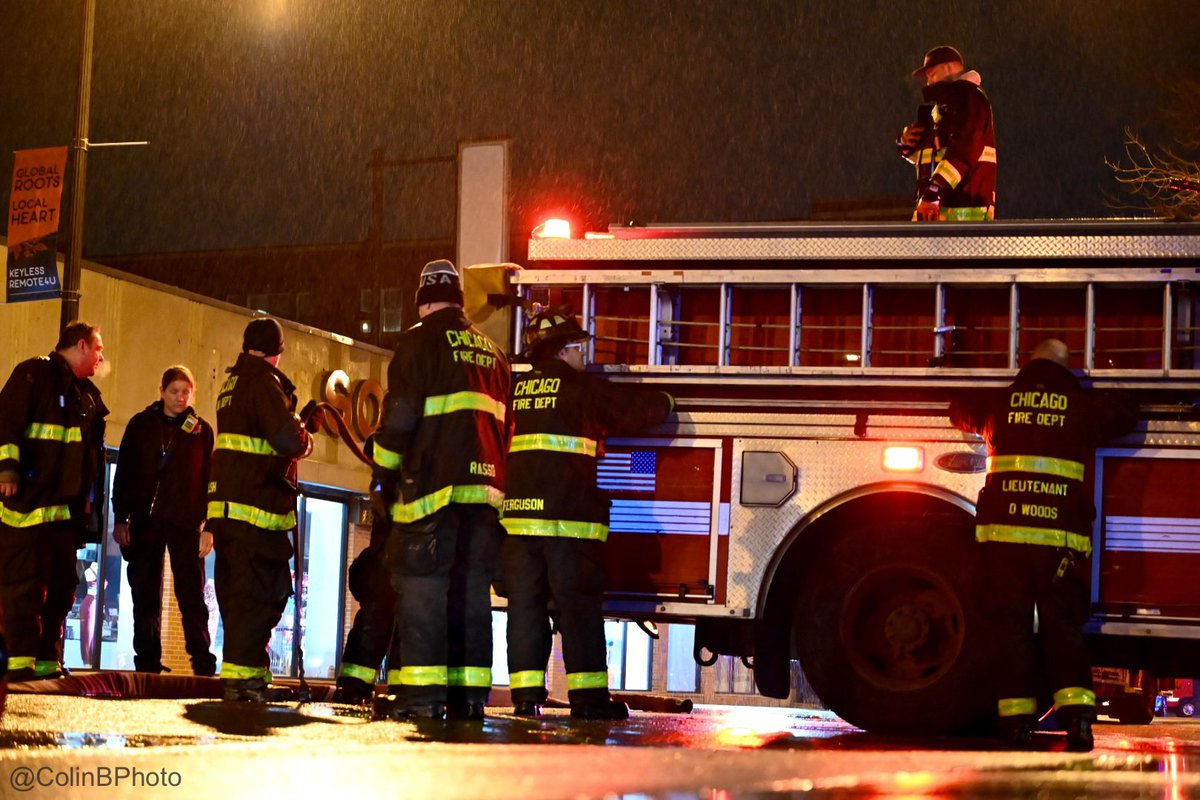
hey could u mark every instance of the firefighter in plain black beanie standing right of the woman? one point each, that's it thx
(253, 508)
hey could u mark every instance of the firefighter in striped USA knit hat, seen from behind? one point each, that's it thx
(440, 467)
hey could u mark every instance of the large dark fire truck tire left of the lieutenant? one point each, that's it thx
(889, 633)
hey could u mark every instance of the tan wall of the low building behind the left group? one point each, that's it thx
(148, 327)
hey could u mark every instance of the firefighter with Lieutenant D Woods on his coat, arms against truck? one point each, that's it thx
(1035, 524)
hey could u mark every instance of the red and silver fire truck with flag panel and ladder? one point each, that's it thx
(811, 501)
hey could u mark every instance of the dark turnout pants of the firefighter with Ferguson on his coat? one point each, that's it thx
(569, 572)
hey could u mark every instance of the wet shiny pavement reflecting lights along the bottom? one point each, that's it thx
(56, 747)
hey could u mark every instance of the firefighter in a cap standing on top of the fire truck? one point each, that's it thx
(953, 143)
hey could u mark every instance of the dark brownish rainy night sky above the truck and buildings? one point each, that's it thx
(263, 115)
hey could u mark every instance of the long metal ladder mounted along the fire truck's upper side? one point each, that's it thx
(1159, 339)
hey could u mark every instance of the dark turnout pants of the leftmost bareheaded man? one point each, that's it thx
(38, 590)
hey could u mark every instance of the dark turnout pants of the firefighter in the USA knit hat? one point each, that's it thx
(442, 569)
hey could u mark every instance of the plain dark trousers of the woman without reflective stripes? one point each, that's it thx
(148, 542)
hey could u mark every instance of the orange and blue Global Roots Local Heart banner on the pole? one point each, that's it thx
(34, 224)
